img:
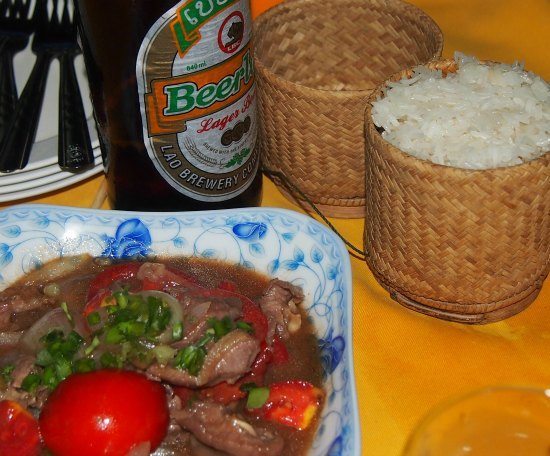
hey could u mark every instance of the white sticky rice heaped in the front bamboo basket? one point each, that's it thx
(483, 116)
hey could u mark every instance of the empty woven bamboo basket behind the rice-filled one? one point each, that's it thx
(316, 64)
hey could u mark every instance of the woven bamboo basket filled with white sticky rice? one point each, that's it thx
(471, 246)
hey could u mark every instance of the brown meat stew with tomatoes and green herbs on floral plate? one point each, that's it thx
(174, 356)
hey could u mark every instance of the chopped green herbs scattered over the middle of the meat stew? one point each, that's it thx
(132, 325)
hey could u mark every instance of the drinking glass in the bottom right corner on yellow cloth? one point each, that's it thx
(503, 421)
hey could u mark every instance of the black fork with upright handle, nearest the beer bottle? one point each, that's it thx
(74, 147)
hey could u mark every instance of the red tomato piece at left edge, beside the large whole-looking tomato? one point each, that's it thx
(19, 435)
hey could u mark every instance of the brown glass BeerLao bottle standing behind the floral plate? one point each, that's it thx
(145, 166)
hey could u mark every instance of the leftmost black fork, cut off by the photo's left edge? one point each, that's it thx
(16, 26)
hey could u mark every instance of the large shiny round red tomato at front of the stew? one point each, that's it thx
(106, 412)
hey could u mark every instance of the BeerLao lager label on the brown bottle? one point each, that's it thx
(197, 96)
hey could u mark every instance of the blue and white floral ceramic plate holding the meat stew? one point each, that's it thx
(279, 243)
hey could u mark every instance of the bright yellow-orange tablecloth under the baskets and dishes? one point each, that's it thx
(406, 363)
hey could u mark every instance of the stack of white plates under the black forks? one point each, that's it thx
(42, 174)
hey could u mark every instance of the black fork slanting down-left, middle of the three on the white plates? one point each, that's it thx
(49, 42)
